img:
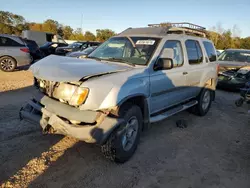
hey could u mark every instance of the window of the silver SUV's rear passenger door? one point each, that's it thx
(194, 52)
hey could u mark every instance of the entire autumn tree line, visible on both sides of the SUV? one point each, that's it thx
(14, 24)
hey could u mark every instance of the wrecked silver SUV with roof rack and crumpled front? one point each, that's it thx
(140, 76)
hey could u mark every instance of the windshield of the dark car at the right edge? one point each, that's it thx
(241, 56)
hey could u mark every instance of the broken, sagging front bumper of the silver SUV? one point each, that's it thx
(54, 118)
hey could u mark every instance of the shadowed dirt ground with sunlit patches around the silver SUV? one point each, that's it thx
(213, 151)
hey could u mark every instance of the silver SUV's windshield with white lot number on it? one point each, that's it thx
(134, 50)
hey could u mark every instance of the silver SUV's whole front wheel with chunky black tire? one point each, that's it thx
(123, 142)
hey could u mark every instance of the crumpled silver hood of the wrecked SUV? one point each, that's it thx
(66, 69)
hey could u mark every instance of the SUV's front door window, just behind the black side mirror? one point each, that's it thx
(178, 53)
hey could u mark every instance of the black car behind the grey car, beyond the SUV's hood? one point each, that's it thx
(75, 47)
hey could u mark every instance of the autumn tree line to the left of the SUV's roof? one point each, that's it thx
(14, 24)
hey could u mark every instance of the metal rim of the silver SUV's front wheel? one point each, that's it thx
(130, 133)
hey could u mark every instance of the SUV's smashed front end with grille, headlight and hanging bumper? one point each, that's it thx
(55, 106)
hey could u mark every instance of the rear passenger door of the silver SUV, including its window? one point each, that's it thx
(196, 63)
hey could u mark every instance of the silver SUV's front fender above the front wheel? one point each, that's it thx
(131, 88)
